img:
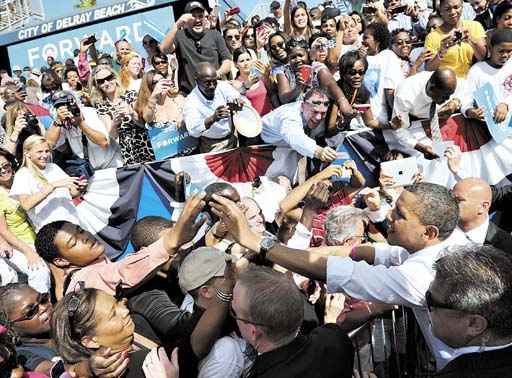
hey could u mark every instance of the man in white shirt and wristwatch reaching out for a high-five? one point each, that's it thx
(421, 225)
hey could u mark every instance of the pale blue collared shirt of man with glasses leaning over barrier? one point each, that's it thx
(285, 126)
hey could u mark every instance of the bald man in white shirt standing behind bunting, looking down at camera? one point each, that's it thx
(206, 113)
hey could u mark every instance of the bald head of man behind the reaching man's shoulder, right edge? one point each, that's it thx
(474, 197)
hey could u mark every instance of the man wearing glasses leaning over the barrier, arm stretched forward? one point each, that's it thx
(298, 124)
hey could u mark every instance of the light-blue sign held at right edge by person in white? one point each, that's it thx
(486, 98)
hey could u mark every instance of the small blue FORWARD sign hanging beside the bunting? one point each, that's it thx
(169, 140)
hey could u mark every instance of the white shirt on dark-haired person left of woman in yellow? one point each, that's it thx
(384, 72)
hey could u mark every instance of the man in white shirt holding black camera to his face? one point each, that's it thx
(78, 136)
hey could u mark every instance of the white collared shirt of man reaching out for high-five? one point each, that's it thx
(396, 277)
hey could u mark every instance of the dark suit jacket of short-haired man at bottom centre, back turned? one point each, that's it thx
(326, 352)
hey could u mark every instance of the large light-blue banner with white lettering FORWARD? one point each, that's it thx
(155, 22)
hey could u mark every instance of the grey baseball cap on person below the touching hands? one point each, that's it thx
(199, 266)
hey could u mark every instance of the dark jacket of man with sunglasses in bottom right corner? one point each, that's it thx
(491, 364)
